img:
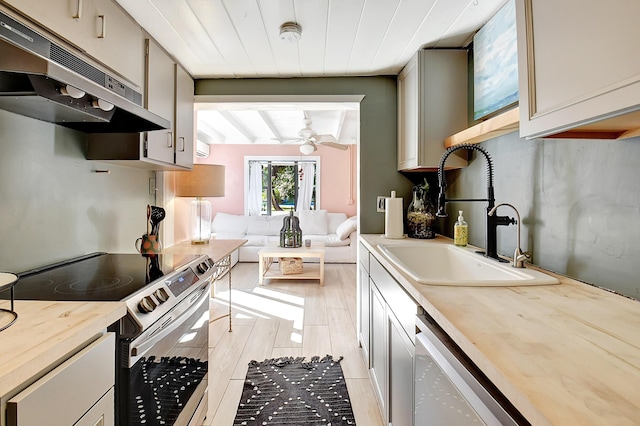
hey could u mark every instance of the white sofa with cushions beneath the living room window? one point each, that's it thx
(335, 230)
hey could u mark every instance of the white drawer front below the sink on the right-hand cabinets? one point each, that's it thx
(404, 308)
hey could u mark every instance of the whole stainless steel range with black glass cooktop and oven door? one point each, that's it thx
(162, 342)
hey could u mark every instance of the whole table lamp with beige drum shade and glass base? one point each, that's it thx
(204, 180)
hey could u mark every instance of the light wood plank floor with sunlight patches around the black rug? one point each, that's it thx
(285, 318)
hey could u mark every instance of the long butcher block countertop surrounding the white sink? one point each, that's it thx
(565, 354)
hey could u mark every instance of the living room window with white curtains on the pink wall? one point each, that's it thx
(279, 185)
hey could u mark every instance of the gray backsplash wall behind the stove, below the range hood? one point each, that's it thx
(53, 205)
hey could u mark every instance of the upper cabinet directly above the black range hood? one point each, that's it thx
(99, 28)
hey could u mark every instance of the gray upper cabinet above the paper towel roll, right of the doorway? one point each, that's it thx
(432, 105)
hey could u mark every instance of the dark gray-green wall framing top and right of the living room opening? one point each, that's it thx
(378, 118)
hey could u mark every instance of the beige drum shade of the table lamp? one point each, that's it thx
(205, 180)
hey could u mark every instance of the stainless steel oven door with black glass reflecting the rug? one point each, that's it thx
(164, 369)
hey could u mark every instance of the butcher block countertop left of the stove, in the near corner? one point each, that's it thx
(45, 333)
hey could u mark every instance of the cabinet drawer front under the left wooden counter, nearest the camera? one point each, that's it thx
(70, 390)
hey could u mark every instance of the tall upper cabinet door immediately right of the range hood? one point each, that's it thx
(160, 100)
